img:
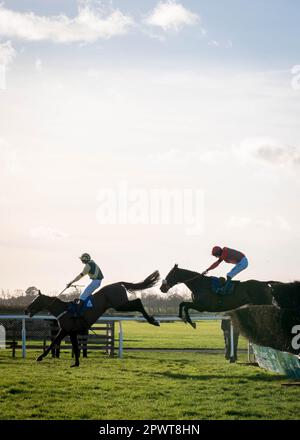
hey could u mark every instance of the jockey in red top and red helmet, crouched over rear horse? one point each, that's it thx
(229, 256)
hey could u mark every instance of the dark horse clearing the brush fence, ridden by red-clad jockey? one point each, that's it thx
(204, 299)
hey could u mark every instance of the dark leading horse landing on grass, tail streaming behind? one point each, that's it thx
(111, 296)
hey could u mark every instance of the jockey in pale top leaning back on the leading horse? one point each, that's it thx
(94, 272)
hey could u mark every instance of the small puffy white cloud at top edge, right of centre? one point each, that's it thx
(171, 16)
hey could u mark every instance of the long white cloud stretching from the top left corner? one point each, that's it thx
(88, 26)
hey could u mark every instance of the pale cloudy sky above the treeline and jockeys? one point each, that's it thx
(145, 133)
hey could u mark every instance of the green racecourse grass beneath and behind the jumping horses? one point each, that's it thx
(143, 385)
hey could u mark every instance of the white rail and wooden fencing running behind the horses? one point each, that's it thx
(37, 332)
